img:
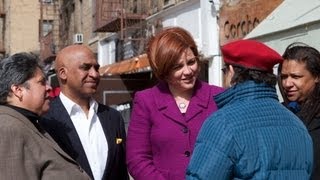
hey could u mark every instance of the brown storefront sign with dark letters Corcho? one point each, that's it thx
(239, 17)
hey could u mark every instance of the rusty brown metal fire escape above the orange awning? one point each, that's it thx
(127, 19)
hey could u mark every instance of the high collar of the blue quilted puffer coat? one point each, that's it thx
(245, 90)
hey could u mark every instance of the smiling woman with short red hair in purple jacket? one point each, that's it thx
(166, 118)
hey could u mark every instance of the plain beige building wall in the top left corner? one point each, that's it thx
(20, 26)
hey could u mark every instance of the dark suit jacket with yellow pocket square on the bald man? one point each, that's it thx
(59, 125)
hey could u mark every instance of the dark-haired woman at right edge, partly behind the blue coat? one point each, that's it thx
(299, 85)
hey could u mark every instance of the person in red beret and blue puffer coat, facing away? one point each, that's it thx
(252, 135)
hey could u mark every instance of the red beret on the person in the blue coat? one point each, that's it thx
(251, 54)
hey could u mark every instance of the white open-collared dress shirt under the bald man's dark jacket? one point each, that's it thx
(91, 134)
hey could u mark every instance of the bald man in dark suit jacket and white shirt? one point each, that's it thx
(91, 133)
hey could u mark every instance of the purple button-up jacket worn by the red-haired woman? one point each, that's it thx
(160, 139)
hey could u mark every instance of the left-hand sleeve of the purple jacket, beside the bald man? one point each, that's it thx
(139, 152)
